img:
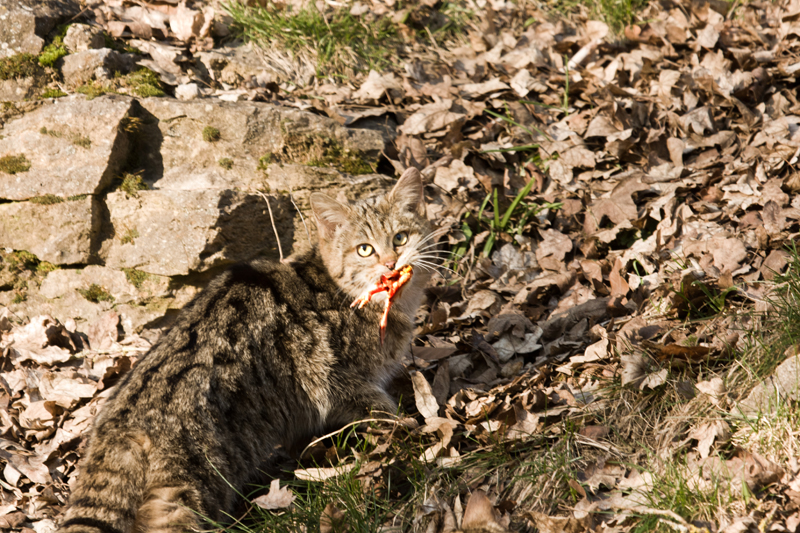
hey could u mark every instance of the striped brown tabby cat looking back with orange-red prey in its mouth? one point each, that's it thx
(267, 356)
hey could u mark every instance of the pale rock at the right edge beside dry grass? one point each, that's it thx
(782, 386)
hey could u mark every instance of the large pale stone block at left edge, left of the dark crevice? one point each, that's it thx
(74, 147)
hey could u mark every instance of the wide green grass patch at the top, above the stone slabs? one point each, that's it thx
(337, 40)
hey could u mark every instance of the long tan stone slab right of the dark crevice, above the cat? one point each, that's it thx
(175, 155)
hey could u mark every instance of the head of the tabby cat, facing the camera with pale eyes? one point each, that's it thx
(362, 241)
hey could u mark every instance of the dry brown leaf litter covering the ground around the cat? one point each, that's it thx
(650, 184)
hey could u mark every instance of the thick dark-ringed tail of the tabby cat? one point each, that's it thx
(111, 484)
